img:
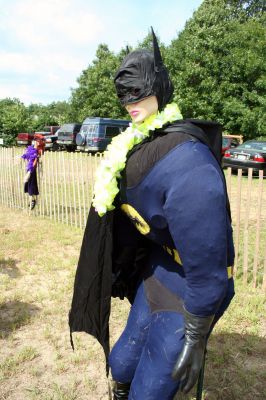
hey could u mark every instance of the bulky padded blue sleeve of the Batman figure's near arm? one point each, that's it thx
(195, 209)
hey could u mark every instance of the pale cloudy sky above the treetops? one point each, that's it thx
(45, 44)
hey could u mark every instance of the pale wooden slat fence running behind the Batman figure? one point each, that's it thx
(66, 185)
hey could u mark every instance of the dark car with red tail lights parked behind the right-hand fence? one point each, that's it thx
(250, 154)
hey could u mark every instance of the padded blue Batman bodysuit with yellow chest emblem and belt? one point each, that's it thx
(179, 205)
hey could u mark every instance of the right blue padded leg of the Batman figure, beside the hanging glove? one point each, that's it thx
(152, 380)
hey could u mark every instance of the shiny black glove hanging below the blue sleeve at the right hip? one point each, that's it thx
(190, 360)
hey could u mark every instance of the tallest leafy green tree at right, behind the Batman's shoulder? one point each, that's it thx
(218, 67)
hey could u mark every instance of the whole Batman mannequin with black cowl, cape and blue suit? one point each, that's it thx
(167, 245)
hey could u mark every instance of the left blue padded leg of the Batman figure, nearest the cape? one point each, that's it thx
(126, 353)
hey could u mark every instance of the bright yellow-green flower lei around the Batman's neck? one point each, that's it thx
(115, 156)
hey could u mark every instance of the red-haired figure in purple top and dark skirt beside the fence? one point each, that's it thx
(32, 156)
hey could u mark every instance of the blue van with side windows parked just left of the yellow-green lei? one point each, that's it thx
(96, 133)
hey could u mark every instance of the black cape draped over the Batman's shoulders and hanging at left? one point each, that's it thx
(91, 303)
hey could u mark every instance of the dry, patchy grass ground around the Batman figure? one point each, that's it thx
(38, 258)
